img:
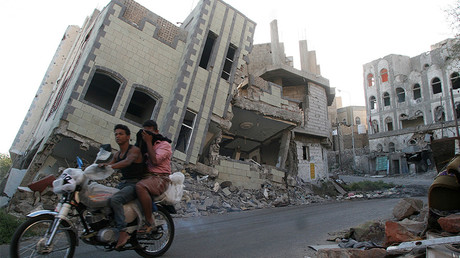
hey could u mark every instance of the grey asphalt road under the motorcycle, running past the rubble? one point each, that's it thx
(276, 232)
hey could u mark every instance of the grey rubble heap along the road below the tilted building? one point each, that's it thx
(203, 196)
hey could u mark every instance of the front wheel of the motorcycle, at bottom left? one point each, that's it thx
(30, 239)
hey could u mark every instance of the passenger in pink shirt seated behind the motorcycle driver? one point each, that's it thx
(158, 160)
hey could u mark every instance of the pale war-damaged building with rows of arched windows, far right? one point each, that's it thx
(410, 102)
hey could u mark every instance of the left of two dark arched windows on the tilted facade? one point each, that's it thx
(102, 90)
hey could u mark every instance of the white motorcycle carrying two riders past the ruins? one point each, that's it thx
(83, 213)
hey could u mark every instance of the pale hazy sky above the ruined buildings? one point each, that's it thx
(345, 35)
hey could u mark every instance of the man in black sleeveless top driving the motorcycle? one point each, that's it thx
(130, 162)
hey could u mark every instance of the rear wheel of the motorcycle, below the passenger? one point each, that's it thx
(157, 242)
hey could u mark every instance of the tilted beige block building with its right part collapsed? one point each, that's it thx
(238, 108)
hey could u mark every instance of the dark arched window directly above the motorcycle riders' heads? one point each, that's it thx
(140, 107)
